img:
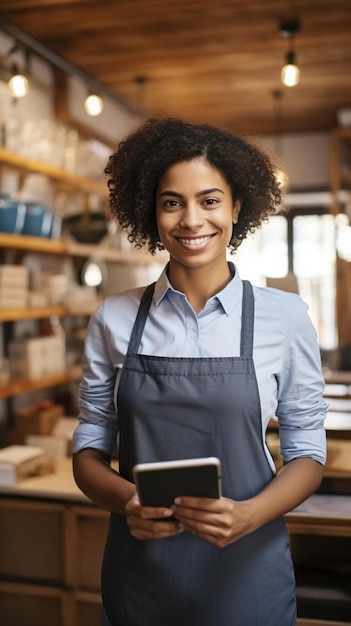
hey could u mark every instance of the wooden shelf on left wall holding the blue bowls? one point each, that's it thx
(69, 248)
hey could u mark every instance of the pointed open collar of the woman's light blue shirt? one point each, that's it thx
(229, 297)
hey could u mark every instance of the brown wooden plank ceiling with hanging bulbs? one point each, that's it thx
(212, 61)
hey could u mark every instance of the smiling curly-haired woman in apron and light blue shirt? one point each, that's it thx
(194, 366)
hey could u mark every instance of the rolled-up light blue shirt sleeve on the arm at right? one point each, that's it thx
(302, 409)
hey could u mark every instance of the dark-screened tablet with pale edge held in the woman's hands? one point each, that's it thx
(159, 483)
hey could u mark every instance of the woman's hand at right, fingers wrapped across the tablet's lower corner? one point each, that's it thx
(218, 521)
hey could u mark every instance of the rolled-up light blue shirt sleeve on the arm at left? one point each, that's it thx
(98, 424)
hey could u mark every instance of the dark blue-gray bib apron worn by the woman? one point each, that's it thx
(177, 408)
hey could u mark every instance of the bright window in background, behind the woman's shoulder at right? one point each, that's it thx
(301, 243)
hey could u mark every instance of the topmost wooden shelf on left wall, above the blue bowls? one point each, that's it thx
(81, 183)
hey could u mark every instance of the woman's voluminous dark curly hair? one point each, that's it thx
(135, 169)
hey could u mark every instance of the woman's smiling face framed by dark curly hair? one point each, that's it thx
(195, 214)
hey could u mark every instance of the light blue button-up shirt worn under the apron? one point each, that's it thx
(286, 356)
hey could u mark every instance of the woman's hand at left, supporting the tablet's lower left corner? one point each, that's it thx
(147, 522)
